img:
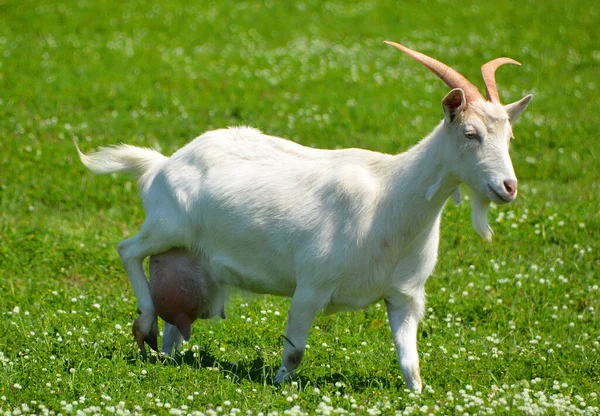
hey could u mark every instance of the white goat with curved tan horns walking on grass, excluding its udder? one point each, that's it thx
(333, 229)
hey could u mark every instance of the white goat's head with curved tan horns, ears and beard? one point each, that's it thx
(479, 133)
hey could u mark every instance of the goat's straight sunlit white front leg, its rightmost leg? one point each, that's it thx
(404, 313)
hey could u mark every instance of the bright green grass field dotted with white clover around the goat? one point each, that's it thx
(511, 327)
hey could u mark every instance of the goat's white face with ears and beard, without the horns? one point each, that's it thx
(480, 133)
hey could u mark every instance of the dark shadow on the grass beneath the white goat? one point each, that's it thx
(257, 370)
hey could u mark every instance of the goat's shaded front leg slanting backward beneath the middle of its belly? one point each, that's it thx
(305, 306)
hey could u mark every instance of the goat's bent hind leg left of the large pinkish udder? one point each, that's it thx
(133, 251)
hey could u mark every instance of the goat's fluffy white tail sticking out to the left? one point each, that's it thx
(122, 158)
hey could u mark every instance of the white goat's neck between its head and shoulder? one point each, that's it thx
(420, 184)
